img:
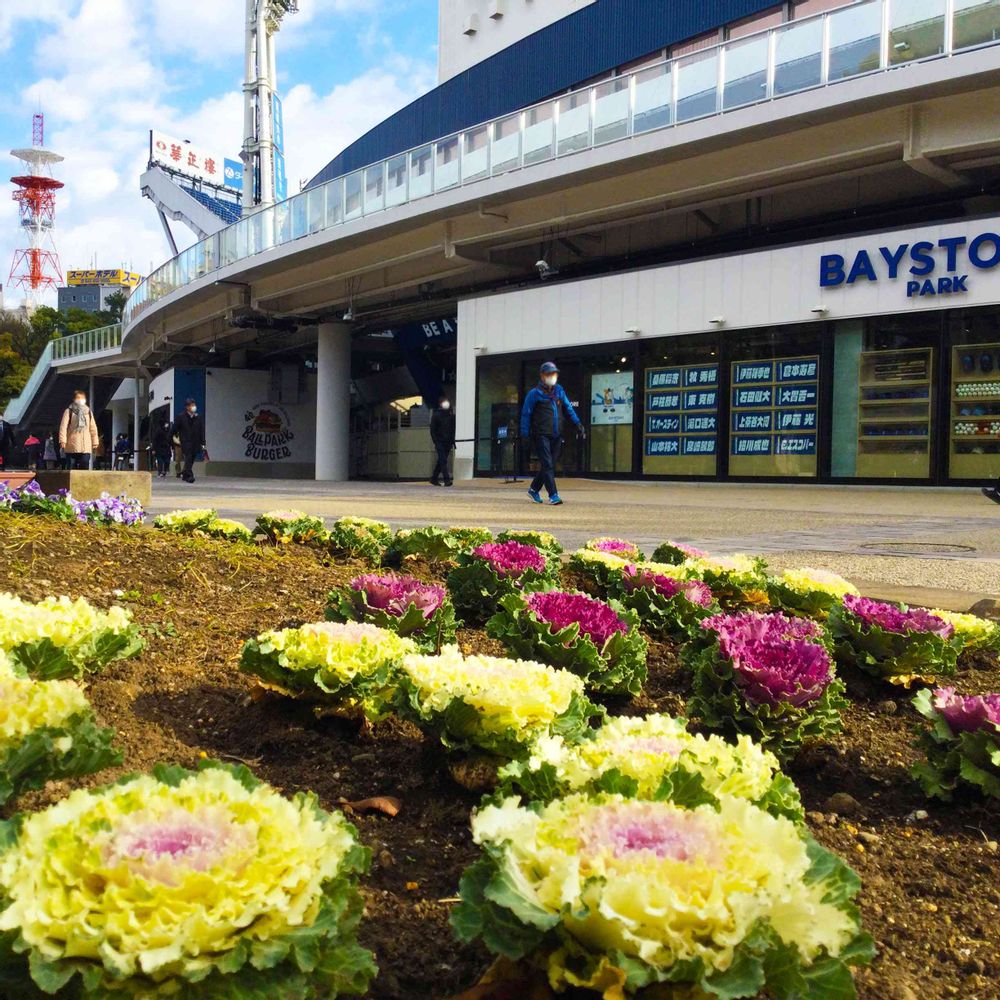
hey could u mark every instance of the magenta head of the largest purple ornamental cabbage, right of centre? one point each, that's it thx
(793, 671)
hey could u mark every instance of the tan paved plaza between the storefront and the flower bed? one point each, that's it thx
(944, 543)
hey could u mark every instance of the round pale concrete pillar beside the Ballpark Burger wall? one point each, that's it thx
(333, 402)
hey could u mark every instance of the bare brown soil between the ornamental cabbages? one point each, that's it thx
(931, 885)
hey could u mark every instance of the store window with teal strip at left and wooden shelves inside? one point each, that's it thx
(884, 378)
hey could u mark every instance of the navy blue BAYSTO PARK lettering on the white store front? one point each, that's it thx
(942, 268)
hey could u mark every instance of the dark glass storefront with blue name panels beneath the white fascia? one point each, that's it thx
(903, 398)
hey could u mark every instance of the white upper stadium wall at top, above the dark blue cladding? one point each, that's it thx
(470, 31)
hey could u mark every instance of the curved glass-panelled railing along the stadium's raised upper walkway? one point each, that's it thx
(819, 51)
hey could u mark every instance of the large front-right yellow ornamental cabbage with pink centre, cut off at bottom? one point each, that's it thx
(615, 895)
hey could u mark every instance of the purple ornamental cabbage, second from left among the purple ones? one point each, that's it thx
(493, 571)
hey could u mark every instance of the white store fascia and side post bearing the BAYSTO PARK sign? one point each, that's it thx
(744, 291)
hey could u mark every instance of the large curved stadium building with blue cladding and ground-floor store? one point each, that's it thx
(761, 241)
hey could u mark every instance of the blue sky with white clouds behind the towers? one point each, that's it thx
(106, 71)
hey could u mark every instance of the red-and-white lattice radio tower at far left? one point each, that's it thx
(37, 266)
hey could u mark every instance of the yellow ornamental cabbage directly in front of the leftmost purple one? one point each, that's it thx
(348, 668)
